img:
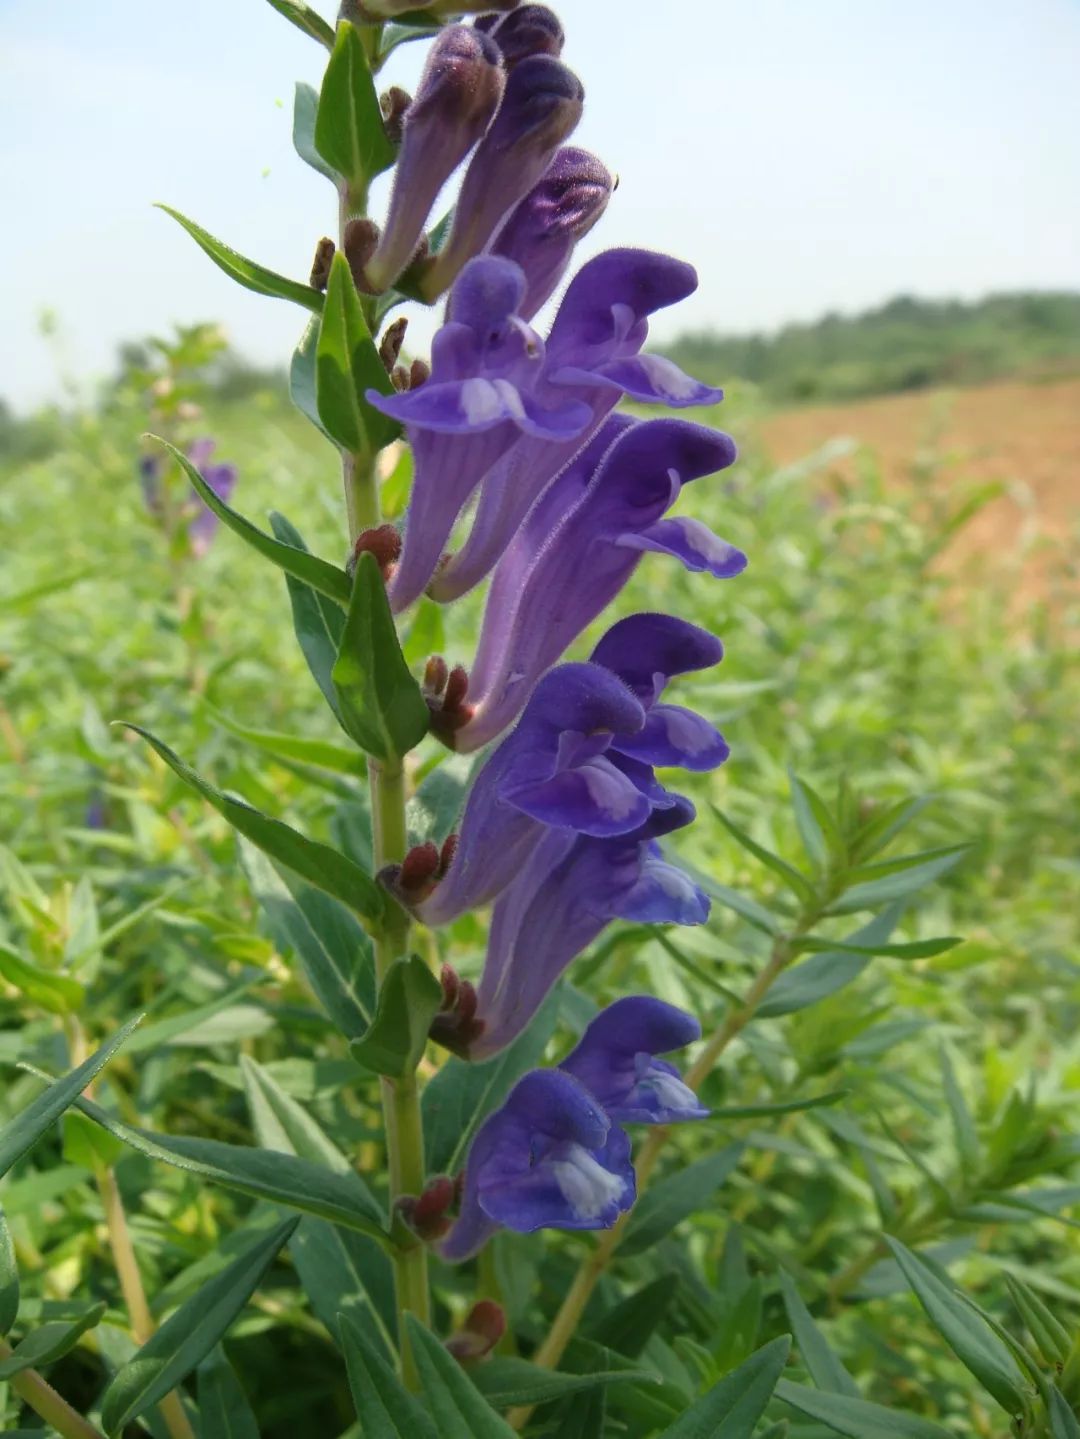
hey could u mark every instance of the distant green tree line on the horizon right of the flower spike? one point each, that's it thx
(908, 345)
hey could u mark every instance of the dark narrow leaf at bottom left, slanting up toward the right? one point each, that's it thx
(189, 1335)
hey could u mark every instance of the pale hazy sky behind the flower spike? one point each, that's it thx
(806, 155)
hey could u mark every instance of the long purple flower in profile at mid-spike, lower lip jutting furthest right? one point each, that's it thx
(579, 548)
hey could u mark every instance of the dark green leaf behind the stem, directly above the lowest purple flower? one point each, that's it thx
(461, 1096)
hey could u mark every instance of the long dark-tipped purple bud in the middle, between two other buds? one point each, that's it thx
(541, 106)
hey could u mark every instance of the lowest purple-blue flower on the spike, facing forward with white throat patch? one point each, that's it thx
(550, 1158)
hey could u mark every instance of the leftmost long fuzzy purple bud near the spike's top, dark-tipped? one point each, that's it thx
(458, 96)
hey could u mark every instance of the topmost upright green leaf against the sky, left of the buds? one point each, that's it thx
(349, 129)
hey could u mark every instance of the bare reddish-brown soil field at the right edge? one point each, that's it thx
(1023, 435)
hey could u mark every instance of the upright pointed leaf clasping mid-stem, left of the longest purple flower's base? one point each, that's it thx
(379, 700)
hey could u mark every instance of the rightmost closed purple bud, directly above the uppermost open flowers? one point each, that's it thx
(541, 232)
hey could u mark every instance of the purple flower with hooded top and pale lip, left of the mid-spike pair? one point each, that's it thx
(552, 772)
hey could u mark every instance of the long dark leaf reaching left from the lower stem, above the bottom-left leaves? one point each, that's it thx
(260, 1174)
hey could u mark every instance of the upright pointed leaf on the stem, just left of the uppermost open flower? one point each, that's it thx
(347, 366)
